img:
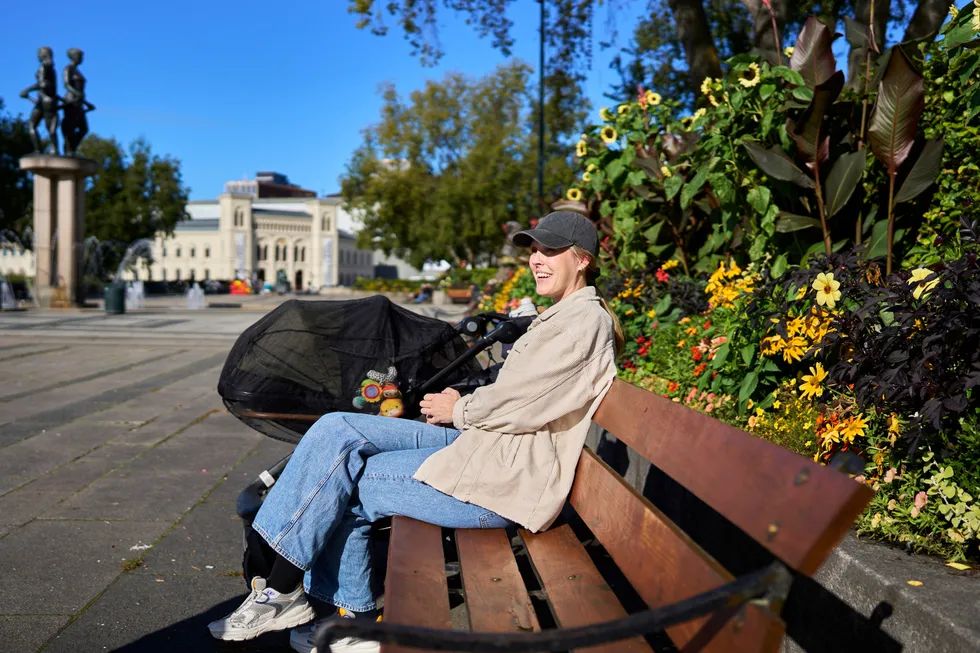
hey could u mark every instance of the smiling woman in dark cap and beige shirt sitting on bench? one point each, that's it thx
(507, 455)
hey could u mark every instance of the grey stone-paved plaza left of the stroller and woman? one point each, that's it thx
(119, 468)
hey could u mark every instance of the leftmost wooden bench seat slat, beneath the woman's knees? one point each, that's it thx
(416, 591)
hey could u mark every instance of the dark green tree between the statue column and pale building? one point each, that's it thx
(134, 195)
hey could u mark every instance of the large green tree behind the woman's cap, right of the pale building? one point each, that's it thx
(445, 168)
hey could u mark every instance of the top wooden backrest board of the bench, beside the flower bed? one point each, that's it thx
(797, 509)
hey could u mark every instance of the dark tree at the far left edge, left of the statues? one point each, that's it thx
(15, 186)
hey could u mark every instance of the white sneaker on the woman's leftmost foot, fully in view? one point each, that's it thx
(264, 610)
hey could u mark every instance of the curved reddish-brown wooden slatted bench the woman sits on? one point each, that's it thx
(795, 508)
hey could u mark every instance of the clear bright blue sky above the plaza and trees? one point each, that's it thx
(230, 88)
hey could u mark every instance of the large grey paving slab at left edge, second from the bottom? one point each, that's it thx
(60, 566)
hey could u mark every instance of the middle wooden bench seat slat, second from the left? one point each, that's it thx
(496, 598)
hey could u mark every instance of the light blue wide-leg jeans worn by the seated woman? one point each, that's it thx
(348, 471)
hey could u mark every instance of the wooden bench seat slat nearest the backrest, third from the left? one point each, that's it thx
(577, 592)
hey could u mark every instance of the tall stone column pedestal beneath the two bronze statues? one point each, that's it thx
(59, 213)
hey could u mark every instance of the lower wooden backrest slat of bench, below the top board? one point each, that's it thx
(661, 562)
